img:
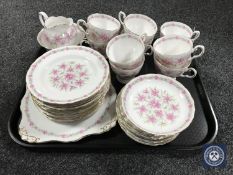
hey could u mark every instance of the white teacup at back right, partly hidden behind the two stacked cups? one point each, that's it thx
(178, 28)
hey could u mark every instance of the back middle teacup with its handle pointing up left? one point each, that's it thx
(138, 24)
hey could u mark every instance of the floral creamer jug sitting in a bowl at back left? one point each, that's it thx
(58, 31)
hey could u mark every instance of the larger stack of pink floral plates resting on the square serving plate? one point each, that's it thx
(69, 83)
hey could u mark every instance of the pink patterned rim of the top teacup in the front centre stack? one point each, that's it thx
(121, 36)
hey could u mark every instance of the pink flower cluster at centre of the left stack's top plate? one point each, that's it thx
(69, 76)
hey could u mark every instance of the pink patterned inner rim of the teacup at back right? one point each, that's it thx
(176, 24)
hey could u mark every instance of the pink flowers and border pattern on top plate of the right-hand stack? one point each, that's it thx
(159, 113)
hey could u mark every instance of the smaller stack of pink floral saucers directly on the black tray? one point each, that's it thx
(154, 109)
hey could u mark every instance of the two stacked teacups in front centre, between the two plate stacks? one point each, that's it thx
(126, 54)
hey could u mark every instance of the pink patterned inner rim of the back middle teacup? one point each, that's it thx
(146, 18)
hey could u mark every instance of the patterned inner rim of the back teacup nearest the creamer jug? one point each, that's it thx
(101, 15)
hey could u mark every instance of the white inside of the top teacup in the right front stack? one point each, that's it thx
(173, 45)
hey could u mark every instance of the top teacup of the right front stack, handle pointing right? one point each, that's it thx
(174, 51)
